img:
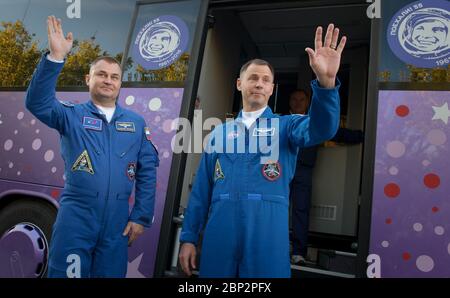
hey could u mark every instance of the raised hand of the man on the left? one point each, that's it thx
(59, 45)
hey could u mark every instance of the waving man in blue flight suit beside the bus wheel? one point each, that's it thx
(106, 150)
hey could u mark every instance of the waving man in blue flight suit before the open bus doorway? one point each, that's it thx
(241, 194)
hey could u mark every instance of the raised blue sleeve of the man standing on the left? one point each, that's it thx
(41, 95)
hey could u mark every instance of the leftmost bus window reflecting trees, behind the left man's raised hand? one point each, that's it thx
(24, 35)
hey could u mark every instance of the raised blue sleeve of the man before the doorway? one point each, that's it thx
(322, 121)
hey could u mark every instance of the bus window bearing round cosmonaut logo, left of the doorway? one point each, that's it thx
(161, 44)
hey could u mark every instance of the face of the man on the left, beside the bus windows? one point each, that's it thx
(104, 80)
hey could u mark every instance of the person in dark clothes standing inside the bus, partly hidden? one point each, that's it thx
(301, 185)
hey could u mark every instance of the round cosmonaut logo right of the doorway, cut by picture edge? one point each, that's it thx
(419, 34)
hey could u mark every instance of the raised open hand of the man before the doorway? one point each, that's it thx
(326, 58)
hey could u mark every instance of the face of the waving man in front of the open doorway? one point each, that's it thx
(256, 86)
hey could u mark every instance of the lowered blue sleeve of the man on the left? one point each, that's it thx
(145, 187)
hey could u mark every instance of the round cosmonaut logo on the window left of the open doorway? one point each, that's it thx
(160, 42)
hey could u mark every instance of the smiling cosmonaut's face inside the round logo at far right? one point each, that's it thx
(429, 35)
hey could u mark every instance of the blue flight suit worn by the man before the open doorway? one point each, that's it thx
(244, 203)
